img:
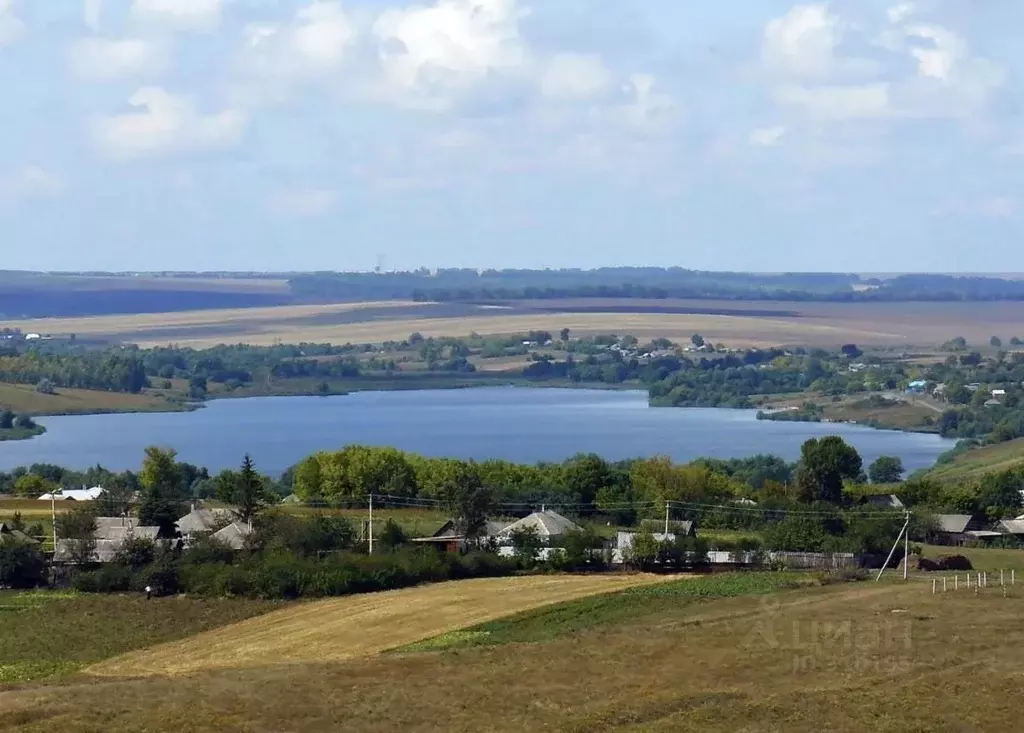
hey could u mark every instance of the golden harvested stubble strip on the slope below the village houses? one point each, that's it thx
(337, 630)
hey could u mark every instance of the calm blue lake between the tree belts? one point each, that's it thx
(523, 425)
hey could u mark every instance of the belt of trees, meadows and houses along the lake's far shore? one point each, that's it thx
(953, 391)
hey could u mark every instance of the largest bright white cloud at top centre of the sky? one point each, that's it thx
(432, 54)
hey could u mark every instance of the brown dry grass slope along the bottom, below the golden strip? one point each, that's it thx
(850, 659)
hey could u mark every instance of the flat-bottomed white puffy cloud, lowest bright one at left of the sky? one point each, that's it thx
(165, 123)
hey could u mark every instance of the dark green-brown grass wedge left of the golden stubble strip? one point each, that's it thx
(50, 633)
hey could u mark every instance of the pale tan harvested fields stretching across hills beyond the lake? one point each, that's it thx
(733, 323)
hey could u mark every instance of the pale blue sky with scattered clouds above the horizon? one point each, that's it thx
(851, 136)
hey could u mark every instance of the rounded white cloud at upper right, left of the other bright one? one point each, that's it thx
(803, 42)
